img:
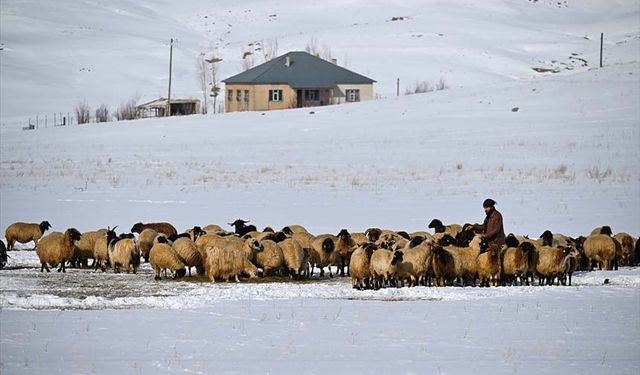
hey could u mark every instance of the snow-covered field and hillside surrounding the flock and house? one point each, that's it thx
(557, 151)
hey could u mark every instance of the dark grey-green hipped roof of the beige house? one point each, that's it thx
(305, 71)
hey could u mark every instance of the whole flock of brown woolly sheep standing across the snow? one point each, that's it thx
(375, 258)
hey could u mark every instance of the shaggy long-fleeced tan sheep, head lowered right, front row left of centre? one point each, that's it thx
(226, 263)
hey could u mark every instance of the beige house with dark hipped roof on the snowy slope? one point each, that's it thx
(293, 80)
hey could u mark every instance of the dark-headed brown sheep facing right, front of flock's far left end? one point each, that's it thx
(57, 248)
